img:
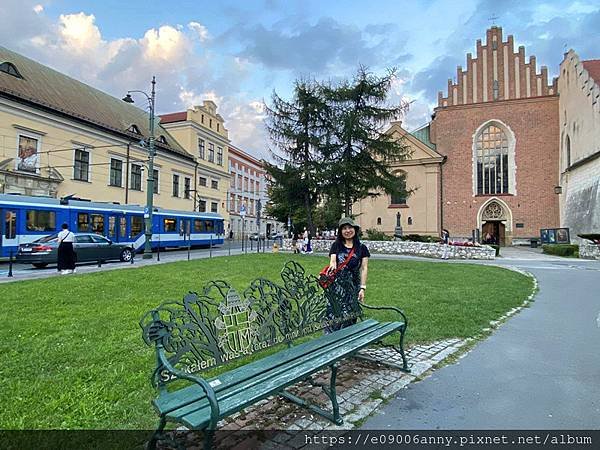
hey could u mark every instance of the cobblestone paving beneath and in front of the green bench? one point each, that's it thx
(363, 383)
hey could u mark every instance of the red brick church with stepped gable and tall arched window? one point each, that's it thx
(498, 130)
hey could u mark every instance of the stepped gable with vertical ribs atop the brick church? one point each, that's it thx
(497, 73)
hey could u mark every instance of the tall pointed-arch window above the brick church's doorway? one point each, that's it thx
(492, 161)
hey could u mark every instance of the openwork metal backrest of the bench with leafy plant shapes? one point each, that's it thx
(210, 328)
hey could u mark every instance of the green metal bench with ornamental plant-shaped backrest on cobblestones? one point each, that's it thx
(216, 326)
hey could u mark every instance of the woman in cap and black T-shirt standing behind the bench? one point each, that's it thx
(349, 251)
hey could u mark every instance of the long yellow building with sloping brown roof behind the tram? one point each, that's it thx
(61, 137)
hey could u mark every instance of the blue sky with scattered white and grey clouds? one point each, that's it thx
(237, 53)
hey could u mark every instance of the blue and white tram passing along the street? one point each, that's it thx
(24, 219)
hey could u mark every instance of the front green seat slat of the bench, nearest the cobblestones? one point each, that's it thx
(285, 375)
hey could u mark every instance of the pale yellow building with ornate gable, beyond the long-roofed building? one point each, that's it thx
(201, 132)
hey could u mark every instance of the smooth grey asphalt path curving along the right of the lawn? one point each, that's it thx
(540, 370)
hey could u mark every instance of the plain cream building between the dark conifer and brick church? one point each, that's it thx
(419, 212)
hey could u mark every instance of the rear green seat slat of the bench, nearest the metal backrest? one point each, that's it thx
(170, 400)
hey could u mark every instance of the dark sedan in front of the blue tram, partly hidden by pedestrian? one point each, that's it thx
(88, 247)
